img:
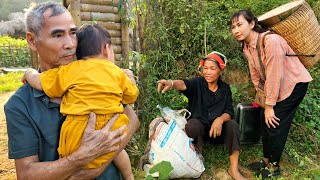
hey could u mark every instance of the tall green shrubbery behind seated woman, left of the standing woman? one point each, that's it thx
(174, 40)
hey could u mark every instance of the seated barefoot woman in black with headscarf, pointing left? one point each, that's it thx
(210, 104)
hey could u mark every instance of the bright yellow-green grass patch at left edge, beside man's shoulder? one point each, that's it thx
(10, 81)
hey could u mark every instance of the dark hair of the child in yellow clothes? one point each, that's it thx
(91, 39)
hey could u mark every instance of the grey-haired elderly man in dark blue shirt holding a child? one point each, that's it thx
(34, 120)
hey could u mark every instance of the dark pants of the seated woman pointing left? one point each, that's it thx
(230, 134)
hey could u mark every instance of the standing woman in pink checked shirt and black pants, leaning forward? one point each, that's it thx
(286, 83)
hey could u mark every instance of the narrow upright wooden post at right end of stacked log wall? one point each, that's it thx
(125, 32)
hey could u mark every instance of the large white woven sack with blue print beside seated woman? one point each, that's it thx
(170, 143)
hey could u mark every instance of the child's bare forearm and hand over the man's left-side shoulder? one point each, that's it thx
(32, 76)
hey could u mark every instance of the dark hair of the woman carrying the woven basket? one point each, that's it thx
(248, 15)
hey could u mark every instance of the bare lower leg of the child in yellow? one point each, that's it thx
(122, 162)
